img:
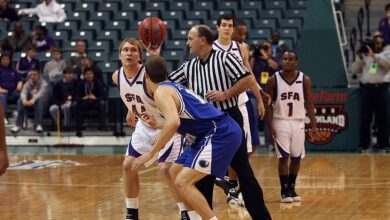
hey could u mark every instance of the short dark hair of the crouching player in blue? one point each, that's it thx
(156, 68)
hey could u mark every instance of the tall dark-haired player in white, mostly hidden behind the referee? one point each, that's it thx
(224, 42)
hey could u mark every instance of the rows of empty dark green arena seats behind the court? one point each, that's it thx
(105, 23)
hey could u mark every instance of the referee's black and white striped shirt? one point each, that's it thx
(219, 72)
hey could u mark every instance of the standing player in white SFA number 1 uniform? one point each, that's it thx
(290, 91)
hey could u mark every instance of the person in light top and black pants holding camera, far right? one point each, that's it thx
(374, 64)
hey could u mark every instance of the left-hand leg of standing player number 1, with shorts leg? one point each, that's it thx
(282, 151)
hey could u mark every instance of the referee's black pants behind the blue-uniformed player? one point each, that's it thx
(250, 188)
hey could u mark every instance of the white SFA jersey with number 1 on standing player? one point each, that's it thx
(290, 99)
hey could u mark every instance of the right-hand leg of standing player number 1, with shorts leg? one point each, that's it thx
(297, 153)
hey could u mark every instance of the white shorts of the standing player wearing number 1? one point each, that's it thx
(290, 138)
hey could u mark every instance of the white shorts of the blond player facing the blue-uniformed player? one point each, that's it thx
(142, 141)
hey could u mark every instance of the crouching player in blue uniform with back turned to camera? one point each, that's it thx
(216, 135)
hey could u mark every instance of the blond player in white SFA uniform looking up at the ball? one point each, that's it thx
(130, 79)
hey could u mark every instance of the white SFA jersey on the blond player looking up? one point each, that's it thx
(134, 94)
